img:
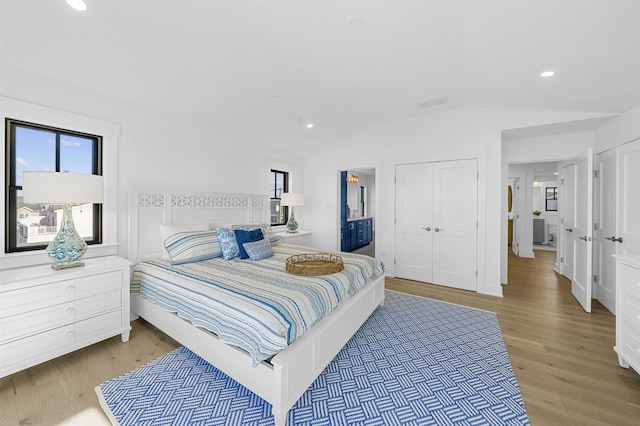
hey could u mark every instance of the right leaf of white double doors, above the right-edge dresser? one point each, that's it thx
(629, 213)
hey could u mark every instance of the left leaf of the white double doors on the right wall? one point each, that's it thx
(604, 246)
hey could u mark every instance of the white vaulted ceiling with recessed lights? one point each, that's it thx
(223, 62)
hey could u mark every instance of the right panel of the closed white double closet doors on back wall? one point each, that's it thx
(455, 195)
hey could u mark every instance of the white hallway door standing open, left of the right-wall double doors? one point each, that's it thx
(581, 283)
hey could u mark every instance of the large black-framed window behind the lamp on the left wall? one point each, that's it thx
(33, 147)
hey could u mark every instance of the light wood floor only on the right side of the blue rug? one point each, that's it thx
(563, 357)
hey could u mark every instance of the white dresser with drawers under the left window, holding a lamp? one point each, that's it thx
(46, 313)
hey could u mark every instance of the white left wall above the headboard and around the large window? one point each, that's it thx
(156, 150)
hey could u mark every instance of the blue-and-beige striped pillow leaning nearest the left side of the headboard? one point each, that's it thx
(186, 247)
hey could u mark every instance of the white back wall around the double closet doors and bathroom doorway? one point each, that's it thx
(465, 133)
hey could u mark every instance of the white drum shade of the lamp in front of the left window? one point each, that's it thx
(61, 188)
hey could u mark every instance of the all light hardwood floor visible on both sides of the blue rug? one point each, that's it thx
(563, 358)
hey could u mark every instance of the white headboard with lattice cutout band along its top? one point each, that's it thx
(149, 208)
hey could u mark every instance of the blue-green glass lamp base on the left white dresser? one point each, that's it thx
(67, 248)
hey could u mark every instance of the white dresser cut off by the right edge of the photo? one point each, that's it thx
(628, 311)
